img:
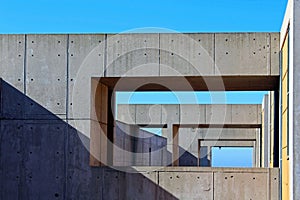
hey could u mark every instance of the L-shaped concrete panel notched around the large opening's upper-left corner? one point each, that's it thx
(86, 60)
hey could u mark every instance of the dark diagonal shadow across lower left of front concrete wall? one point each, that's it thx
(42, 157)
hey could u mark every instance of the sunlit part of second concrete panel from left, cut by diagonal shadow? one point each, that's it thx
(46, 72)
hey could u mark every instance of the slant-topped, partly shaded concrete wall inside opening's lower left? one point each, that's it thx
(137, 147)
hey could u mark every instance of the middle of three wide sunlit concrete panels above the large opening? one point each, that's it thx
(186, 54)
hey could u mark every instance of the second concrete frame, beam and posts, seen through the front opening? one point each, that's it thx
(237, 116)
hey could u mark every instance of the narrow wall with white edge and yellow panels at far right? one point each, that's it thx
(292, 172)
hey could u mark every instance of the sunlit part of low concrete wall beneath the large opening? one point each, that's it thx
(214, 183)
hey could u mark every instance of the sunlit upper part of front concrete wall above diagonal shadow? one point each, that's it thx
(68, 62)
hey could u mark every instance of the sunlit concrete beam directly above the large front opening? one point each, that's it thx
(189, 54)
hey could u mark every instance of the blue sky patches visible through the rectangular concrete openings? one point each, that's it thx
(221, 157)
